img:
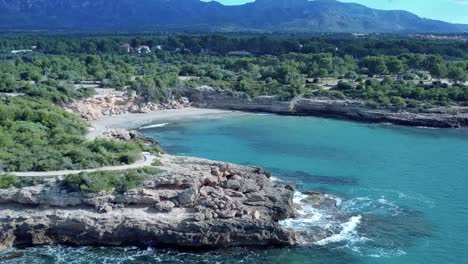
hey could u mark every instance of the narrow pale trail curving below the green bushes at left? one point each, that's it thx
(146, 160)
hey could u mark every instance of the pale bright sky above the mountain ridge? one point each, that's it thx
(455, 11)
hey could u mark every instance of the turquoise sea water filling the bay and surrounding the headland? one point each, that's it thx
(404, 190)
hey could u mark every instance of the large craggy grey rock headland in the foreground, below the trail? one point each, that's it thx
(189, 203)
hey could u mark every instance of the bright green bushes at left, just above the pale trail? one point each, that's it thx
(37, 136)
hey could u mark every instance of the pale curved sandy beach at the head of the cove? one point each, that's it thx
(131, 121)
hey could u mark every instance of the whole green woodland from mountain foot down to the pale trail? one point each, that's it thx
(386, 71)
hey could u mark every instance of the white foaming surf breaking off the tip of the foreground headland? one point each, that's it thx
(341, 226)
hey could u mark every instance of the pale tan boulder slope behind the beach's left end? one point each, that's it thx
(117, 103)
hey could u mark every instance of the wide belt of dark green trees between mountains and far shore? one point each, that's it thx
(283, 66)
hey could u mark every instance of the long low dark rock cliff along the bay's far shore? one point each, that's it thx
(450, 117)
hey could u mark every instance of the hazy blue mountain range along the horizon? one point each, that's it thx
(194, 15)
